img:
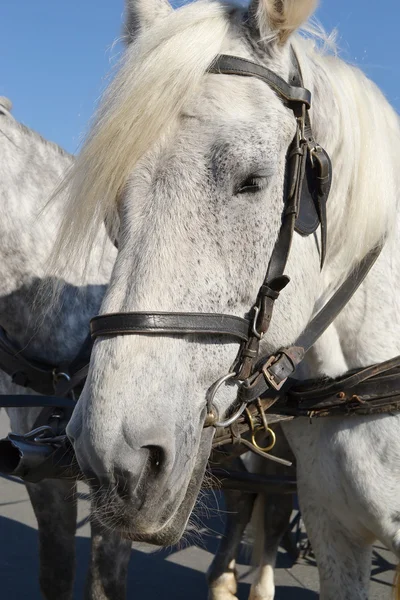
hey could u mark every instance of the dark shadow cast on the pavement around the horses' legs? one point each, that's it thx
(151, 576)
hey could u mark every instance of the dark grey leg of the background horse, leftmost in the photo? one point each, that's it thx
(54, 504)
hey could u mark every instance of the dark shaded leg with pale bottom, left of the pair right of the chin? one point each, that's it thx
(221, 575)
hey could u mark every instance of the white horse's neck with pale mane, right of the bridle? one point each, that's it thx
(360, 130)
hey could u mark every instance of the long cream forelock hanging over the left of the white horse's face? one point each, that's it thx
(159, 73)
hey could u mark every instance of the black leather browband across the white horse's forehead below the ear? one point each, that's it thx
(233, 65)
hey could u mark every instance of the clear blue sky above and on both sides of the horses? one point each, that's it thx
(55, 55)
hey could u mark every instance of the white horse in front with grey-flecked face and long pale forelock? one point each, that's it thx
(188, 169)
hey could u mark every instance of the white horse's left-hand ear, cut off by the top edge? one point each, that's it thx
(140, 14)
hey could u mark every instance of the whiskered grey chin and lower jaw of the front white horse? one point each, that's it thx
(166, 528)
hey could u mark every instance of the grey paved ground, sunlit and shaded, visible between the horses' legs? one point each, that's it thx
(177, 574)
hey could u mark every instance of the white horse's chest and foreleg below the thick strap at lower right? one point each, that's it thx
(348, 491)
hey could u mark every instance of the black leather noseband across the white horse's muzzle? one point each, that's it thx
(169, 323)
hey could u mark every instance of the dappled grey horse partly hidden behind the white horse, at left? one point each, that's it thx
(30, 169)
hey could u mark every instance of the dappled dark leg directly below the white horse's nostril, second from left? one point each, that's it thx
(109, 563)
